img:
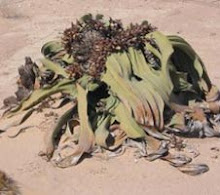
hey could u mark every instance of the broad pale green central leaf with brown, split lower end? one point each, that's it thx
(146, 107)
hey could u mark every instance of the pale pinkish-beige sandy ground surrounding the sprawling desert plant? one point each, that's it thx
(26, 24)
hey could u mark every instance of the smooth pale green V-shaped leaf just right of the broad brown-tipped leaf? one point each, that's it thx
(159, 79)
